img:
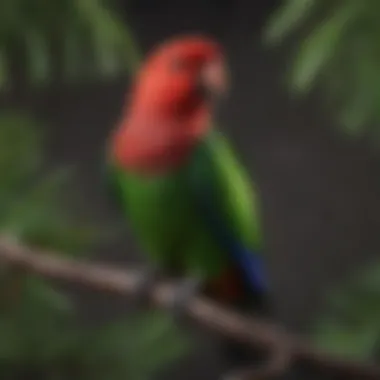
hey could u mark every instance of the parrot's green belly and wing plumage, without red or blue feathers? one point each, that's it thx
(165, 216)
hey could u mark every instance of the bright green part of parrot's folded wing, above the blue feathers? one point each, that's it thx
(218, 176)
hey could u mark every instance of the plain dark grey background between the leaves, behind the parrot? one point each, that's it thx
(320, 192)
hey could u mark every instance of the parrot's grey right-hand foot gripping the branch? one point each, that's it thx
(187, 288)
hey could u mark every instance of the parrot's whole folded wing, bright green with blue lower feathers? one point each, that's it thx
(230, 209)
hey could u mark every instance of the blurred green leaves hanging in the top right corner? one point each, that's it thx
(339, 50)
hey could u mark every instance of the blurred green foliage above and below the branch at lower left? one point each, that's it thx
(38, 327)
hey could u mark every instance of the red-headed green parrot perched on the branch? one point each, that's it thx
(188, 199)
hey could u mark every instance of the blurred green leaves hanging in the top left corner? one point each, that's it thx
(86, 37)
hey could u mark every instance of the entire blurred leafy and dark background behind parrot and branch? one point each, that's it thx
(303, 111)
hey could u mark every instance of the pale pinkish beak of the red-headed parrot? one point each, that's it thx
(213, 78)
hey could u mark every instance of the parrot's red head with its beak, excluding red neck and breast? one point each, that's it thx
(180, 73)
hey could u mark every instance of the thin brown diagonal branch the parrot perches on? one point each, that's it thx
(283, 347)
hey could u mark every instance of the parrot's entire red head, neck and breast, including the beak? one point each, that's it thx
(170, 106)
